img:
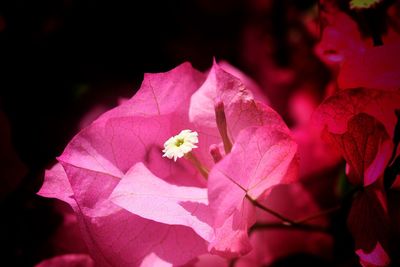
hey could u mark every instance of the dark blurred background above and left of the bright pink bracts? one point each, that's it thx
(62, 59)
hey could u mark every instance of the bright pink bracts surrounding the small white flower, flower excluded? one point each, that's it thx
(135, 207)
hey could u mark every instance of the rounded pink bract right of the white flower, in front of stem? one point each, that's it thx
(260, 159)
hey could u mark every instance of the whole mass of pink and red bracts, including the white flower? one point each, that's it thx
(240, 172)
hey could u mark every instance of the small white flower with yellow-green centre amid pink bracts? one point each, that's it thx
(178, 145)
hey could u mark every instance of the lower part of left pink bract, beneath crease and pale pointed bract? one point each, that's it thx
(117, 237)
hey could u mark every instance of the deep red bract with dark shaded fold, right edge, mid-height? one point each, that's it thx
(360, 123)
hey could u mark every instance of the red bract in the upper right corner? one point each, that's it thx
(359, 63)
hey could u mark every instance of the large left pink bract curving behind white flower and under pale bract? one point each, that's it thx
(97, 159)
